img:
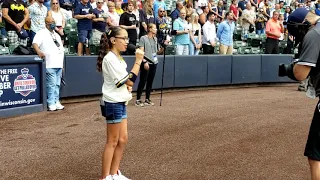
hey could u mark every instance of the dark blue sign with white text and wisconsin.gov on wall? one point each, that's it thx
(20, 85)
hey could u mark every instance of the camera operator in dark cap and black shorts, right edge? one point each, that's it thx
(305, 27)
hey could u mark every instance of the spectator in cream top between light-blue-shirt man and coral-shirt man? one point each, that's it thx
(248, 18)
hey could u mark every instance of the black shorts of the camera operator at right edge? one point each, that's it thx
(312, 150)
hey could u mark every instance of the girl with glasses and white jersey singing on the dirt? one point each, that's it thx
(116, 90)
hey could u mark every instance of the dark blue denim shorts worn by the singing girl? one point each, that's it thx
(115, 112)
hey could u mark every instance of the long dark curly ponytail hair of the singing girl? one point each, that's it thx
(106, 45)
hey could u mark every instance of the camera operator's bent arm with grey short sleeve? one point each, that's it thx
(309, 56)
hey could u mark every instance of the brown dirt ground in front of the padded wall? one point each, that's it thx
(227, 134)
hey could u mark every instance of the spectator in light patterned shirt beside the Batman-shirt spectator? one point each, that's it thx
(38, 13)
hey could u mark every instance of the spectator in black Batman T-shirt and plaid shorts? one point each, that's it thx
(16, 14)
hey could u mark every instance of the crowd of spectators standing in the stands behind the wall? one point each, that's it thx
(193, 27)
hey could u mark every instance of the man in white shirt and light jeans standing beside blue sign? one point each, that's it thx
(47, 43)
